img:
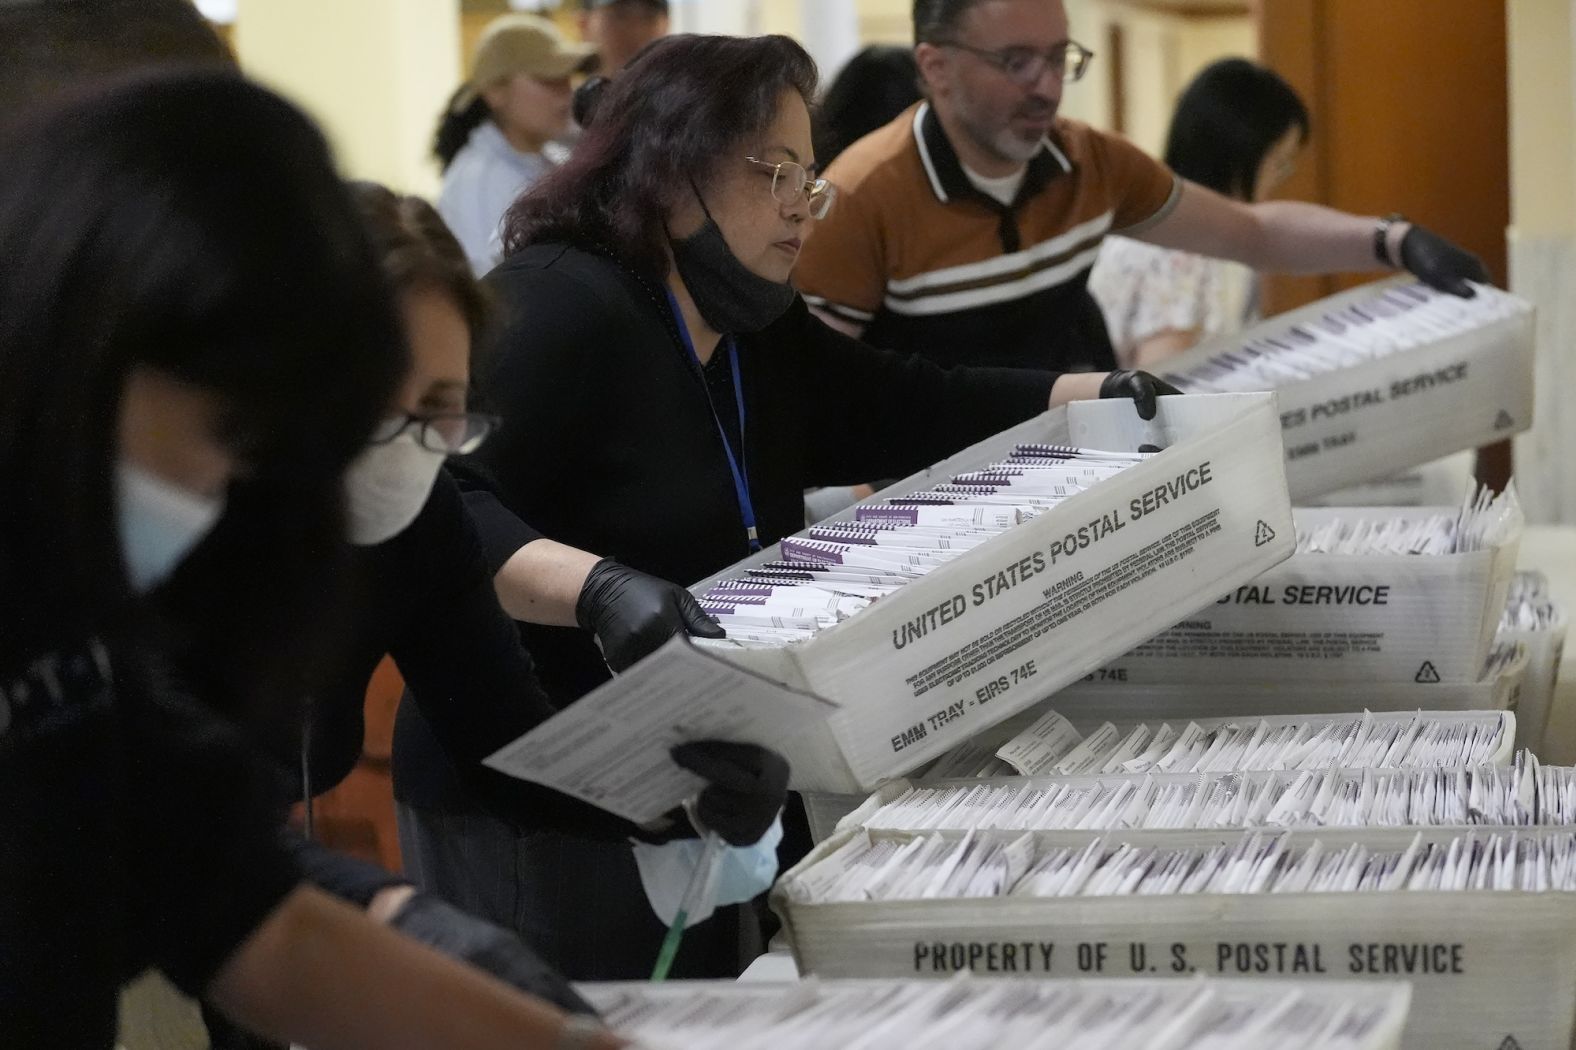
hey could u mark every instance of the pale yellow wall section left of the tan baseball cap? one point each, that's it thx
(374, 73)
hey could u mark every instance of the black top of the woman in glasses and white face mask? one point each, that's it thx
(426, 598)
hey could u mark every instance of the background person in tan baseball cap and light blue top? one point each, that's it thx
(497, 136)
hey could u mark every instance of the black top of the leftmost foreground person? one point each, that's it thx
(136, 830)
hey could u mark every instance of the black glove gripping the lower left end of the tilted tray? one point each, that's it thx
(633, 614)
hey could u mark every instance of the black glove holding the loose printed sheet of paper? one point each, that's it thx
(748, 787)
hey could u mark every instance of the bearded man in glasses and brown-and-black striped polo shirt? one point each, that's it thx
(967, 228)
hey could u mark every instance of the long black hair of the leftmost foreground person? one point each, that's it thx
(193, 225)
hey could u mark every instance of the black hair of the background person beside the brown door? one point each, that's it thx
(1227, 121)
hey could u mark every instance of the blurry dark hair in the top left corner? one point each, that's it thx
(53, 45)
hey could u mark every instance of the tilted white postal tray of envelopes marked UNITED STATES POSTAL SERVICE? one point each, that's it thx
(981, 586)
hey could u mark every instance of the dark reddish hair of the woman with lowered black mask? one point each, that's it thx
(660, 128)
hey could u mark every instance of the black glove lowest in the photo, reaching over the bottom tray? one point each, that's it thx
(486, 947)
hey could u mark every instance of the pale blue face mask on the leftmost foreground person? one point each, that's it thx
(160, 524)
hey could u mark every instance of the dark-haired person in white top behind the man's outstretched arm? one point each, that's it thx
(1238, 130)
